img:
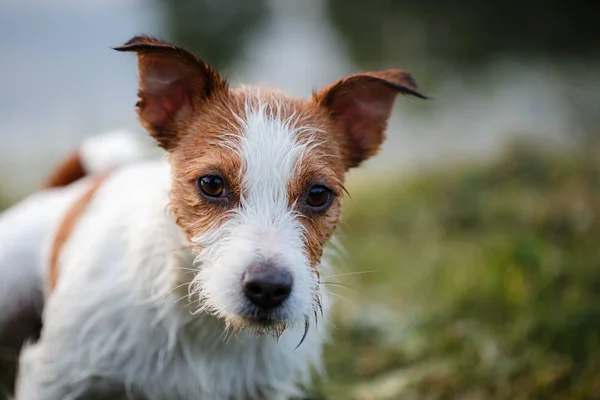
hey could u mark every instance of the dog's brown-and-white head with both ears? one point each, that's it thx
(258, 176)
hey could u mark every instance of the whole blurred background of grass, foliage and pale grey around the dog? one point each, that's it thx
(472, 262)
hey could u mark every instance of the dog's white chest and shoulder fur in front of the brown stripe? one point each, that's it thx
(130, 329)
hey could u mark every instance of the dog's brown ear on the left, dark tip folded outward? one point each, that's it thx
(172, 83)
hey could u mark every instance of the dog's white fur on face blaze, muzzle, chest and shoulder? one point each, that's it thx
(120, 317)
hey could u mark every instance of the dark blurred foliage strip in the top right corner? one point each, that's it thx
(466, 31)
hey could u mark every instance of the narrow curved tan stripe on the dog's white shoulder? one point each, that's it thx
(67, 225)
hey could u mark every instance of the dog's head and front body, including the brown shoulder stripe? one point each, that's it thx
(199, 276)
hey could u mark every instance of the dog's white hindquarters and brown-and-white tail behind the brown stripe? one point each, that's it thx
(26, 226)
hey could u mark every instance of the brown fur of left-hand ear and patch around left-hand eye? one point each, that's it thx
(186, 107)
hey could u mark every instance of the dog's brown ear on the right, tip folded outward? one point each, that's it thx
(361, 105)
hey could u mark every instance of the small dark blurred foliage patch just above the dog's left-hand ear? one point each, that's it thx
(215, 30)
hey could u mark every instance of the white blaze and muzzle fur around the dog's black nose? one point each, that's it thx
(265, 227)
